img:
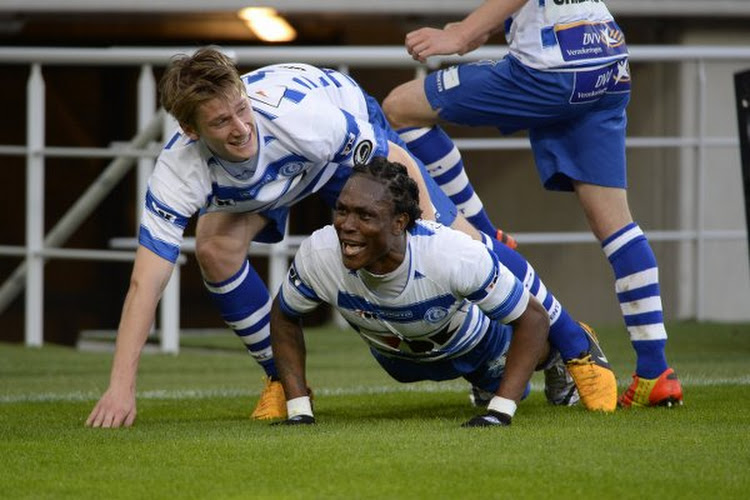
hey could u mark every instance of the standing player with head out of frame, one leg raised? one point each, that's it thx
(566, 80)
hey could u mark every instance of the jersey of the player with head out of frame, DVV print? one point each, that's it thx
(556, 34)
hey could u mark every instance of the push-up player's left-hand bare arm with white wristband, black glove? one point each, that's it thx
(288, 344)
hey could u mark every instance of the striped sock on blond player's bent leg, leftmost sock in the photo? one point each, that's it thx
(245, 306)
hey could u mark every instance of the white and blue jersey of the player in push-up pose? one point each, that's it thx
(451, 288)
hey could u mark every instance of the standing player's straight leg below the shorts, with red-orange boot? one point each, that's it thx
(638, 292)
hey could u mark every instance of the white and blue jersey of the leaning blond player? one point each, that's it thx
(310, 122)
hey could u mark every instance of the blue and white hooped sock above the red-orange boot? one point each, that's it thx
(637, 287)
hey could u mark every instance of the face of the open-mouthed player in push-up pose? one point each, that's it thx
(371, 237)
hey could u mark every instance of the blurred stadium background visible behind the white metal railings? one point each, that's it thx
(95, 106)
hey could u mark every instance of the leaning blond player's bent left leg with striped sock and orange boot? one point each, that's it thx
(222, 240)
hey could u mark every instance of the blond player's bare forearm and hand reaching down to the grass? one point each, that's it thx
(117, 405)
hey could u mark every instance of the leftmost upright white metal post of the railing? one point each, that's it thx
(35, 104)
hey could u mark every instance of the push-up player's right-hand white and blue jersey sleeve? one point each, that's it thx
(483, 280)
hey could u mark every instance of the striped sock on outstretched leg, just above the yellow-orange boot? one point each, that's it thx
(565, 334)
